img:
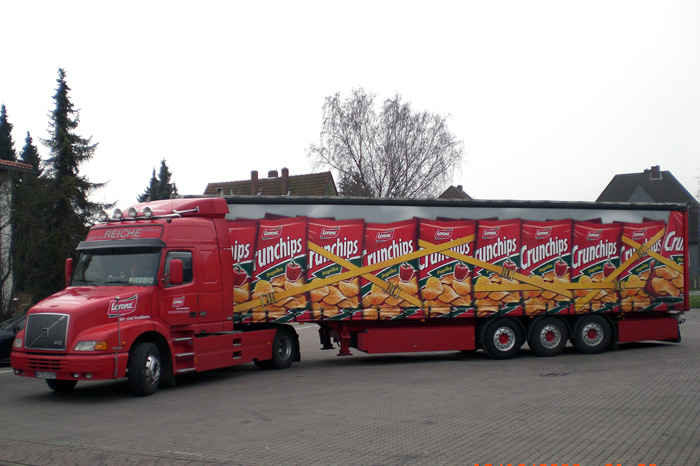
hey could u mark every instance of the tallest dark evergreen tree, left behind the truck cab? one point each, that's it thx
(53, 211)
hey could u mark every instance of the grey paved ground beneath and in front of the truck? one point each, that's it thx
(640, 404)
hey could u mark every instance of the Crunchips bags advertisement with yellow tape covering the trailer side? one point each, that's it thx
(309, 269)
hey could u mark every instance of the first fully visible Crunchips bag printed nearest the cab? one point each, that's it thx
(280, 268)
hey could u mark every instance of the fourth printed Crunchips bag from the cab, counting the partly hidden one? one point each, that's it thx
(396, 284)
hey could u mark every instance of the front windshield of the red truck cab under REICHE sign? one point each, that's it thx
(136, 266)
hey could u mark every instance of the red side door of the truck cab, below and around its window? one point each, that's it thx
(178, 303)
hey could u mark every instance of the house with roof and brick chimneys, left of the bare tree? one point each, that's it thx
(312, 184)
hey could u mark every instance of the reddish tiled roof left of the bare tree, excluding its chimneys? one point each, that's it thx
(313, 184)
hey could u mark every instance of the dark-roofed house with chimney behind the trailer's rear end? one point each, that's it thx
(654, 185)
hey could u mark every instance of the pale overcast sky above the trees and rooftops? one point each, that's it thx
(551, 98)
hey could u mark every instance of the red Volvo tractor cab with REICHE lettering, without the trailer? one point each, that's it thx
(149, 297)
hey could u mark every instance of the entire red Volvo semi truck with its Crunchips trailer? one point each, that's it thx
(194, 284)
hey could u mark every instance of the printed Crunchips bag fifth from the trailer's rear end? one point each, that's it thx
(498, 243)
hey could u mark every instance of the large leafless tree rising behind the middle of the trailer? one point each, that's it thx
(393, 153)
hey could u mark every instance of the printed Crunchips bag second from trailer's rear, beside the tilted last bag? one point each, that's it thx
(635, 277)
